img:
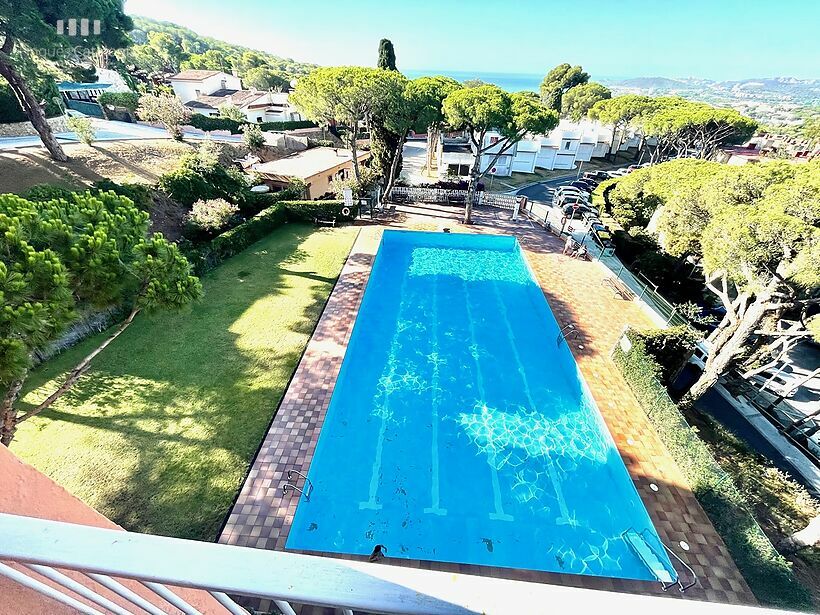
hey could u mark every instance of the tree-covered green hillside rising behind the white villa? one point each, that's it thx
(161, 46)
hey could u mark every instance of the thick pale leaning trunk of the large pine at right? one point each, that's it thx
(726, 348)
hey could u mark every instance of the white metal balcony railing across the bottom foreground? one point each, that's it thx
(156, 561)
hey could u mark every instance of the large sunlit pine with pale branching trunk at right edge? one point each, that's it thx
(756, 230)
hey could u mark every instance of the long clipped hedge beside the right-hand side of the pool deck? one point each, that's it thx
(768, 573)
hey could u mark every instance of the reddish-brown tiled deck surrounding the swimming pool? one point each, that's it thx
(261, 515)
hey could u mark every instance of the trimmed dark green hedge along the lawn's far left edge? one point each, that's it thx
(206, 257)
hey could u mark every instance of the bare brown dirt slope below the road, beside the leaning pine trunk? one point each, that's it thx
(120, 161)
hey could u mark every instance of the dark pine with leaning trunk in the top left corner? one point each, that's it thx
(27, 26)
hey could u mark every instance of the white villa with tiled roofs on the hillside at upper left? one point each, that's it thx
(205, 91)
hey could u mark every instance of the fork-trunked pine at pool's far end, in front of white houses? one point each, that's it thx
(487, 108)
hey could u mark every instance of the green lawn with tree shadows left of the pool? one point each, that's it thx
(159, 434)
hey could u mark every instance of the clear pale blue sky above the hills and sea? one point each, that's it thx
(718, 39)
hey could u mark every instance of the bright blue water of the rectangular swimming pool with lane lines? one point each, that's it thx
(460, 431)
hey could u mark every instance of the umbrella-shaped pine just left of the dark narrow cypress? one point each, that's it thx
(348, 95)
